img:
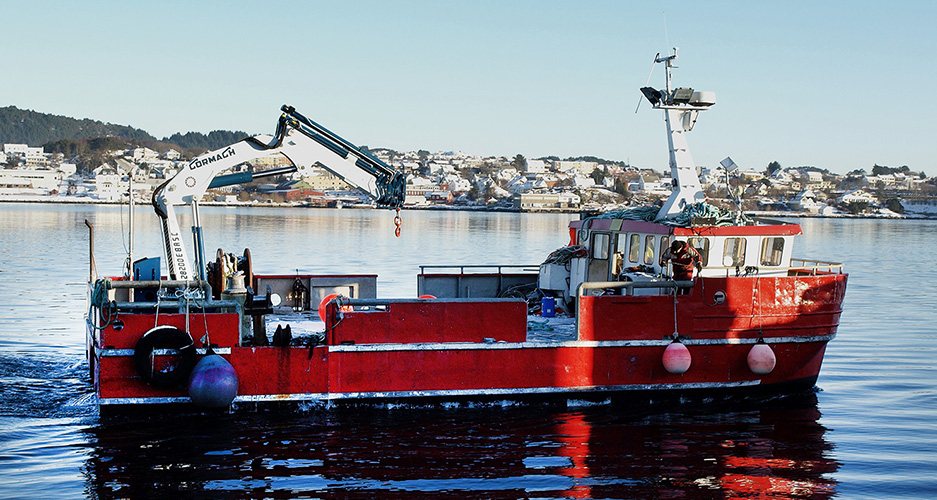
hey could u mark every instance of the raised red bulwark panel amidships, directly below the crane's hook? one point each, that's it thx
(435, 321)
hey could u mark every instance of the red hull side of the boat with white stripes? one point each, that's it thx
(477, 349)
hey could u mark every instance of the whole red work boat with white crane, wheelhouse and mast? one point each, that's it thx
(750, 318)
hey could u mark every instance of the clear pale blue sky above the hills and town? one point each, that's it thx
(839, 85)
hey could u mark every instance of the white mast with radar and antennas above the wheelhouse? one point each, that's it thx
(681, 107)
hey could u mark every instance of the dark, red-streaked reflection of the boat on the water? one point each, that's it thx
(774, 449)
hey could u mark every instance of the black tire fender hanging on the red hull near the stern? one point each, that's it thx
(164, 337)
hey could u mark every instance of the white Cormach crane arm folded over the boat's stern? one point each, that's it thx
(304, 142)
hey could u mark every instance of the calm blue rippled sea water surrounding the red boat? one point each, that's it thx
(869, 432)
